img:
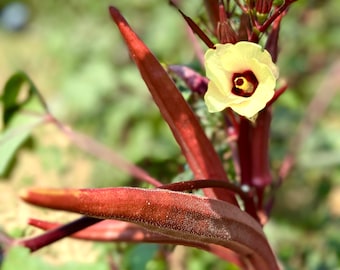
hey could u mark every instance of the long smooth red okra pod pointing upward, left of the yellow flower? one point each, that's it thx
(196, 147)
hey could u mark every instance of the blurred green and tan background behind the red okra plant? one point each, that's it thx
(76, 57)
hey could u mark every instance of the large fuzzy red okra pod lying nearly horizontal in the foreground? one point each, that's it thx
(178, 215)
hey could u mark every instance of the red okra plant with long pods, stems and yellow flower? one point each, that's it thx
(239, 47)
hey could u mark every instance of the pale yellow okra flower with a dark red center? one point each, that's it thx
(241, 76)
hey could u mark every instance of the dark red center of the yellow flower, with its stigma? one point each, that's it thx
(244, 84)
